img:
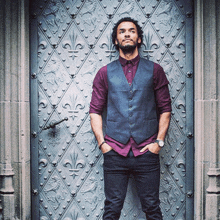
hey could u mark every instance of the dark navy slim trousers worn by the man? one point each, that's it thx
(146, 172)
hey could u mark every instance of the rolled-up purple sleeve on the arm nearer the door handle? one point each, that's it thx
(100, 92)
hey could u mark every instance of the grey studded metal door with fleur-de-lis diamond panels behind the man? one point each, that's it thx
(70, 41)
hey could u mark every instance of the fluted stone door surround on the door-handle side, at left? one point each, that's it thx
(14, 110)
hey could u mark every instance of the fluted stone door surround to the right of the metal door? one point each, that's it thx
(207, 154)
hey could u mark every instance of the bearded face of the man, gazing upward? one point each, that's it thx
(127, 35)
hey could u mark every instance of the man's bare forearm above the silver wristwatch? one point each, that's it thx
(164, 122)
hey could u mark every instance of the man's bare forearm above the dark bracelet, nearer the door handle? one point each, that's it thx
(96, 124)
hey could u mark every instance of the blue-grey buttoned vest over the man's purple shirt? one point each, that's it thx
(131, 110)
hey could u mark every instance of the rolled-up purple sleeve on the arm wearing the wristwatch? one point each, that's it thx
(161, 89)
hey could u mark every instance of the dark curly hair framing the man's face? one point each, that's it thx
(139, 30)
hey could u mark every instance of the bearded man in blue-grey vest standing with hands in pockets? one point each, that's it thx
(135, 92)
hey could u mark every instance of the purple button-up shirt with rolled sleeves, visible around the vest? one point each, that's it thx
(100, 93)
